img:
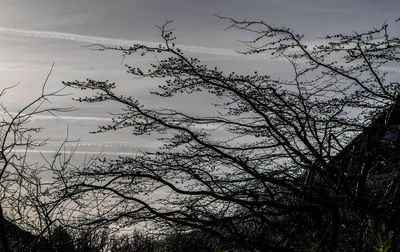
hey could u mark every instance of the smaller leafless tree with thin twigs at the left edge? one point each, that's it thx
(23, 193)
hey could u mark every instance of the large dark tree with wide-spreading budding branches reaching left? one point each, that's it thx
(297, 154)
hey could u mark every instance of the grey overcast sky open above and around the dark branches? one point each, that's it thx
(26, 59)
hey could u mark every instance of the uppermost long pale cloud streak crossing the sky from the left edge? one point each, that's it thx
(110, 41)
